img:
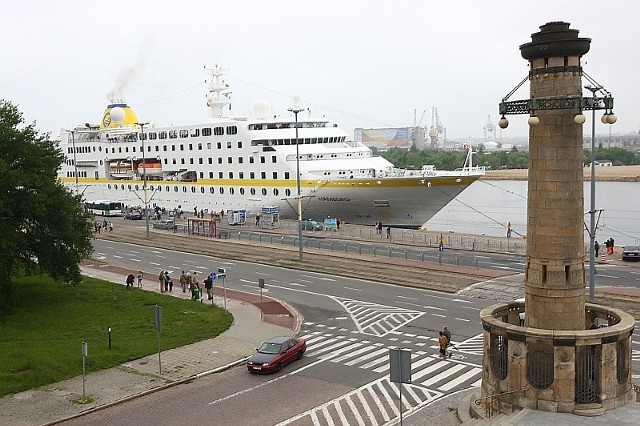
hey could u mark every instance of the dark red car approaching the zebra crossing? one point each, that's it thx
(275, 353)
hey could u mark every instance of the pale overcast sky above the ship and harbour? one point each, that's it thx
(360, 63)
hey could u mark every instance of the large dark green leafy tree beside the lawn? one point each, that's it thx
(44, 227)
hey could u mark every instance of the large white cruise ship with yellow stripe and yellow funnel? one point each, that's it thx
(250, 163)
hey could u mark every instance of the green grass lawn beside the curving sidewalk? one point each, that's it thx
(41, 341)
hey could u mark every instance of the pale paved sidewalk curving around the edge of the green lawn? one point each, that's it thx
(52, 404)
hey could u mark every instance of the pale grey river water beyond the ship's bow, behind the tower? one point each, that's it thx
(488, 205)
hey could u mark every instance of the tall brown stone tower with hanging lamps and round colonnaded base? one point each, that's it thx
(569, 356)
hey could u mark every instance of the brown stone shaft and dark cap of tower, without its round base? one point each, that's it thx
(554, 277)
